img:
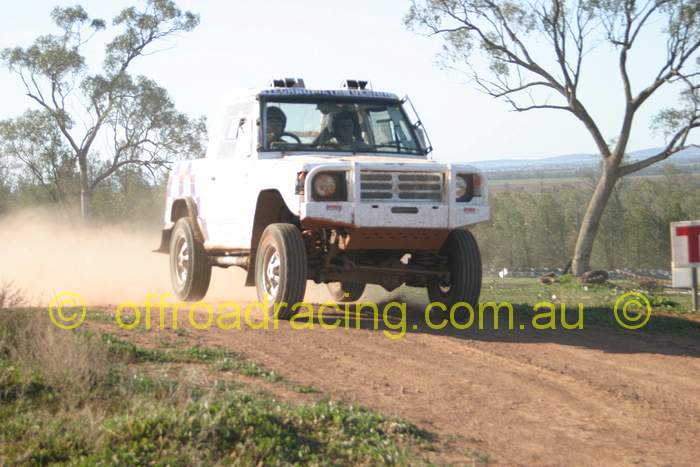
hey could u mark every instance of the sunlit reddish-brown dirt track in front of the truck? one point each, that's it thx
(592, 397)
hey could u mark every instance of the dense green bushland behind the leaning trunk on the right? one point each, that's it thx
(538, 229)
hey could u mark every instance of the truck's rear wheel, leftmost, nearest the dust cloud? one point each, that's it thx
(190, 271)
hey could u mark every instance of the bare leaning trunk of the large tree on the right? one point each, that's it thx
(591, 220)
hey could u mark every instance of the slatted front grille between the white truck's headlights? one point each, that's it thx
(401, 186)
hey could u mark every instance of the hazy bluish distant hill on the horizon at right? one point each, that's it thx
(689, 156)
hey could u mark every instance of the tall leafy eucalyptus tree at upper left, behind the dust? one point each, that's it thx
(107, 119)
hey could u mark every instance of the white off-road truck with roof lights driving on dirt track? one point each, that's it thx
(334, 186)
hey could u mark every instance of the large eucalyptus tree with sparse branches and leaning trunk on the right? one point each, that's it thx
(534, 54)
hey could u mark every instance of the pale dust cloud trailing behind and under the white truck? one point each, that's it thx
(44, 253)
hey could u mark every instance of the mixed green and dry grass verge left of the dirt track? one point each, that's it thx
(127, 417)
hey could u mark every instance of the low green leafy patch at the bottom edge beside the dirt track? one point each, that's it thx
(251, 430)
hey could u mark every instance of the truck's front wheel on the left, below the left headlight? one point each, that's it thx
(280, 268)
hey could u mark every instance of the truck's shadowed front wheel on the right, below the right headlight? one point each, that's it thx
(464, 259)
